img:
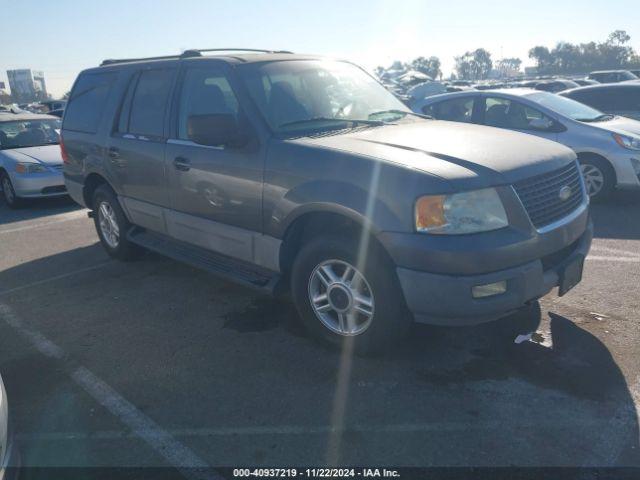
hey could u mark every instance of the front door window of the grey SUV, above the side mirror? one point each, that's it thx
(205, 91)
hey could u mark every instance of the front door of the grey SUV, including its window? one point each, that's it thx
(215, 192)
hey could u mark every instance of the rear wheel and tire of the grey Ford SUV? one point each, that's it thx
(112, 225)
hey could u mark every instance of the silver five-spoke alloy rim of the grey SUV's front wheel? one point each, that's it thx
(341, 297)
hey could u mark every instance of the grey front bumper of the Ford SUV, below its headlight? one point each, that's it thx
(447, 300)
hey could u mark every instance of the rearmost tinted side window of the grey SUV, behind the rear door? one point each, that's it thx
(87, 102)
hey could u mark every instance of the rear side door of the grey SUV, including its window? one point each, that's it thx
(136, 148)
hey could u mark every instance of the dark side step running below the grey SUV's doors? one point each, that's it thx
(219, 265)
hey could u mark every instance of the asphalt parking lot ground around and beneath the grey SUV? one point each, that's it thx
(153, 363)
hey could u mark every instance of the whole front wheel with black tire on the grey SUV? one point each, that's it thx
(386, 319)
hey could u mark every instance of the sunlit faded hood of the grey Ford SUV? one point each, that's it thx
(473, 155)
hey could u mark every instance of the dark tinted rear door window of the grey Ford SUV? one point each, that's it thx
(149, 103)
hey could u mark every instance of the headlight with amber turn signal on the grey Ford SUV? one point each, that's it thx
(457, 213)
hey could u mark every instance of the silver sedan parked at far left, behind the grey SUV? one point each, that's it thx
(30, 160)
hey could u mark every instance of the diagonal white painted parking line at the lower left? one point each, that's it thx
(174, 452)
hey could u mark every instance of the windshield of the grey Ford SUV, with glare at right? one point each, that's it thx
(294, 96)
